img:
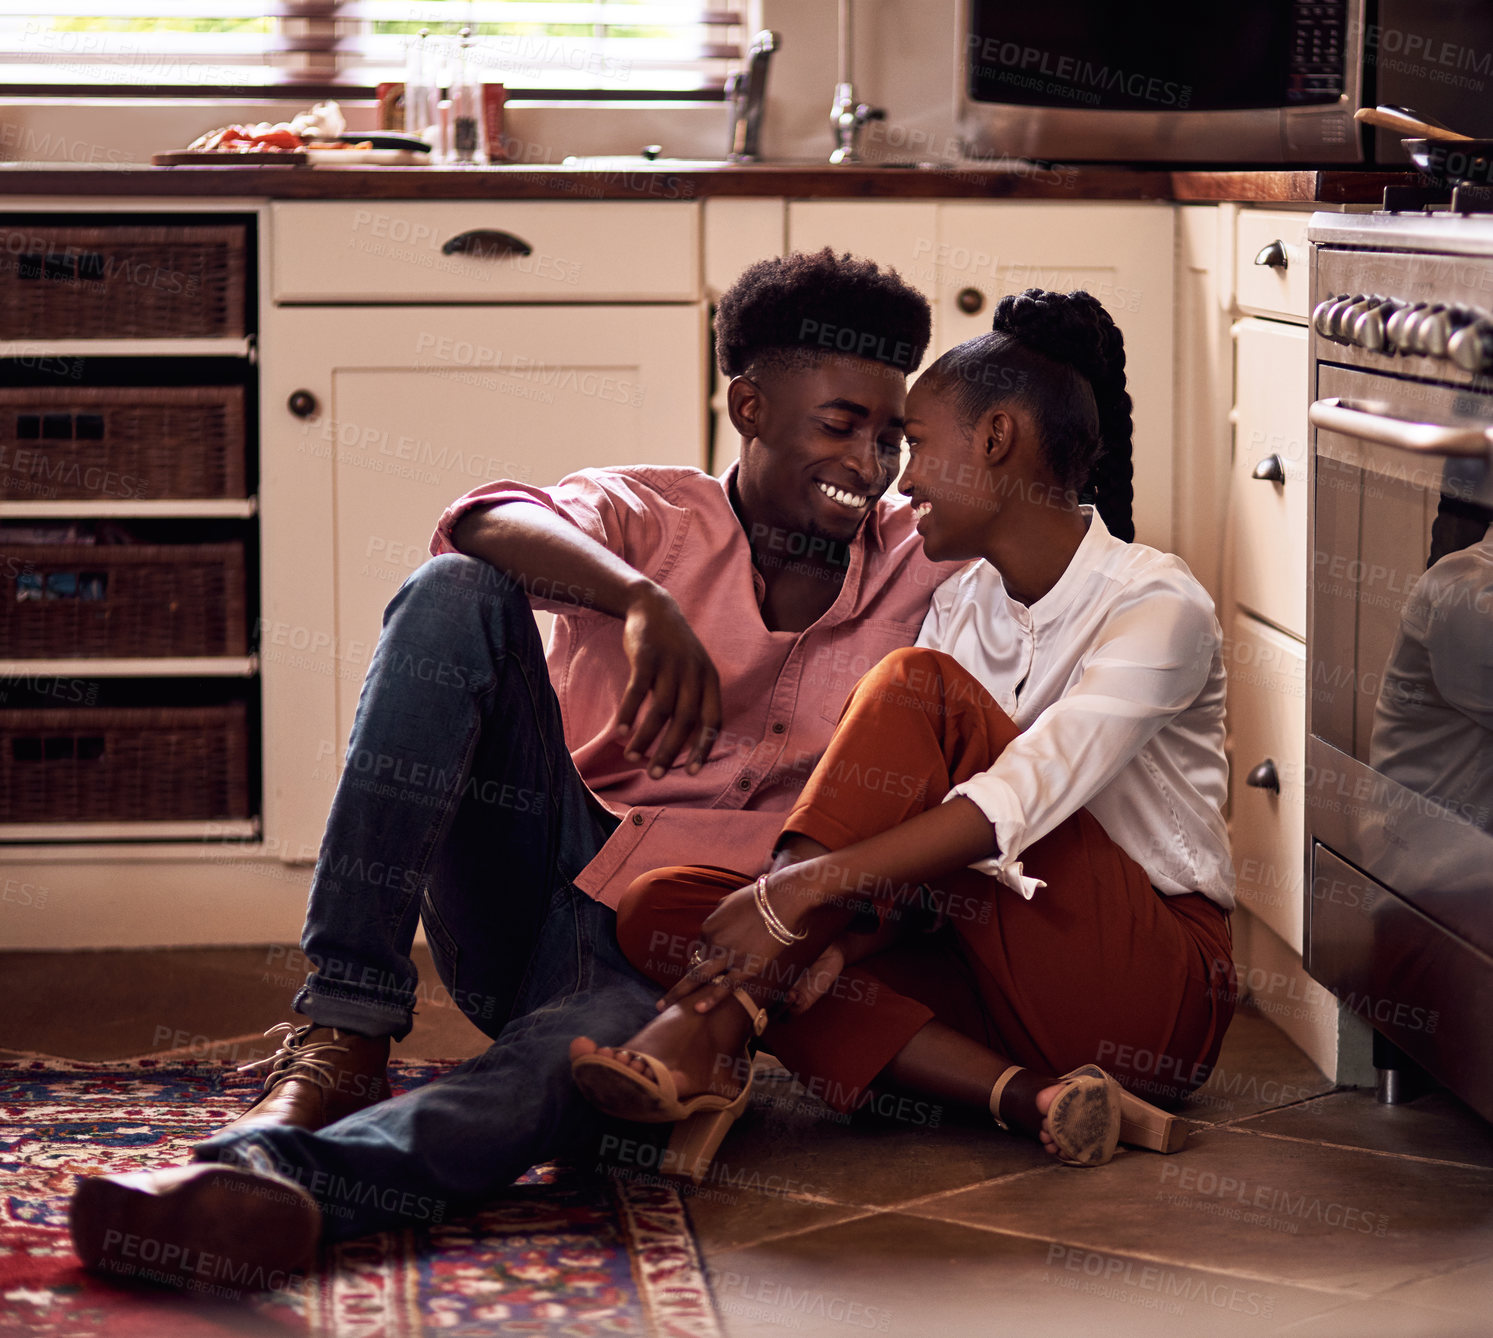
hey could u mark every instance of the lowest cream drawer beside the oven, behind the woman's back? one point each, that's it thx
(1268, 724)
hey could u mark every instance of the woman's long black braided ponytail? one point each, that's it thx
(1074, 329)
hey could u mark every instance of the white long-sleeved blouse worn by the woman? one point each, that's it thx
(1116, 680)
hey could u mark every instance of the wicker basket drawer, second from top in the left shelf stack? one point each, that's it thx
(122, 443)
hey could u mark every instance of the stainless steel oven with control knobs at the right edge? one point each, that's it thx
(1400, 752)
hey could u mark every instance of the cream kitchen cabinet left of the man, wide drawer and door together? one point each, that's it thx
(378, 414)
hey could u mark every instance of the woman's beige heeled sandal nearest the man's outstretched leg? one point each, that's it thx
(699, 1124)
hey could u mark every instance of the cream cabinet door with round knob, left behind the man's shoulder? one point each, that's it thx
(408, 410)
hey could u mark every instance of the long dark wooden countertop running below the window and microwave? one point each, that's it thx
(1025, 181)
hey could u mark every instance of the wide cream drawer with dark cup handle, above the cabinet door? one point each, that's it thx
(398, 252)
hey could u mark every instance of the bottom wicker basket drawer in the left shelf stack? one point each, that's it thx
(125, 764)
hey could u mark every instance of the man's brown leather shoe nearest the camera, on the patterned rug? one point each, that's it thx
(207, 1228)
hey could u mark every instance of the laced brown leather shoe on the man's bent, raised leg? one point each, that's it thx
(317, 1077)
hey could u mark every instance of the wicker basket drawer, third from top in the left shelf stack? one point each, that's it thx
(104, 600)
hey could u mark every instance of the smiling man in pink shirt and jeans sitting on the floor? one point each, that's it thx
(708, 631)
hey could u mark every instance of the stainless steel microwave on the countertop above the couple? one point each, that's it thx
(1250, 81)
